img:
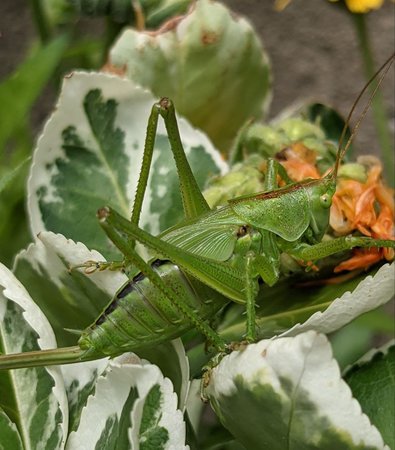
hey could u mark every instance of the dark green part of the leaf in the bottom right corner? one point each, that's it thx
(372, 381)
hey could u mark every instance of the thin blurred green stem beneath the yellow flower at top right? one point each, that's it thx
(378, 107)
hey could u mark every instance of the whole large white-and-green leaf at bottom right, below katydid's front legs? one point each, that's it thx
(288, 393)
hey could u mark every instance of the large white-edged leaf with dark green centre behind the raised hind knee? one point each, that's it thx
(90, 154)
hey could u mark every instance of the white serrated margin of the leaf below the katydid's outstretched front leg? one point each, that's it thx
(370, 293)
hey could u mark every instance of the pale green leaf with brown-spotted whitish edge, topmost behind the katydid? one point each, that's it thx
(210, 62)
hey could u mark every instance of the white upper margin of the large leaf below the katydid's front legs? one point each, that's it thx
(306, 360)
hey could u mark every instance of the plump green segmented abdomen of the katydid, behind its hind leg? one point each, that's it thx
(141, 316)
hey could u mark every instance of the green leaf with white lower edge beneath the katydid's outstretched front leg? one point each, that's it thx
(289, 309)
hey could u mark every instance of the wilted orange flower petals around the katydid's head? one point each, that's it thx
(363, 207)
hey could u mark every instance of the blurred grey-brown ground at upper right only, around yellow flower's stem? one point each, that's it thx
(315, 54)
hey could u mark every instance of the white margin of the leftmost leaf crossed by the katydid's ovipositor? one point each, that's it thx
(14, 291)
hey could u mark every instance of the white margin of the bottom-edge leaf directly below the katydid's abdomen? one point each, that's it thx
(112, 389)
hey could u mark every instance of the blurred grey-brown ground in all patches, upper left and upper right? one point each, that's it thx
(311, 44)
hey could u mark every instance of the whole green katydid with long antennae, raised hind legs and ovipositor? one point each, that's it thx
(210, 258)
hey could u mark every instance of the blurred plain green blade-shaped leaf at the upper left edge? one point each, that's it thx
(20, 90)
